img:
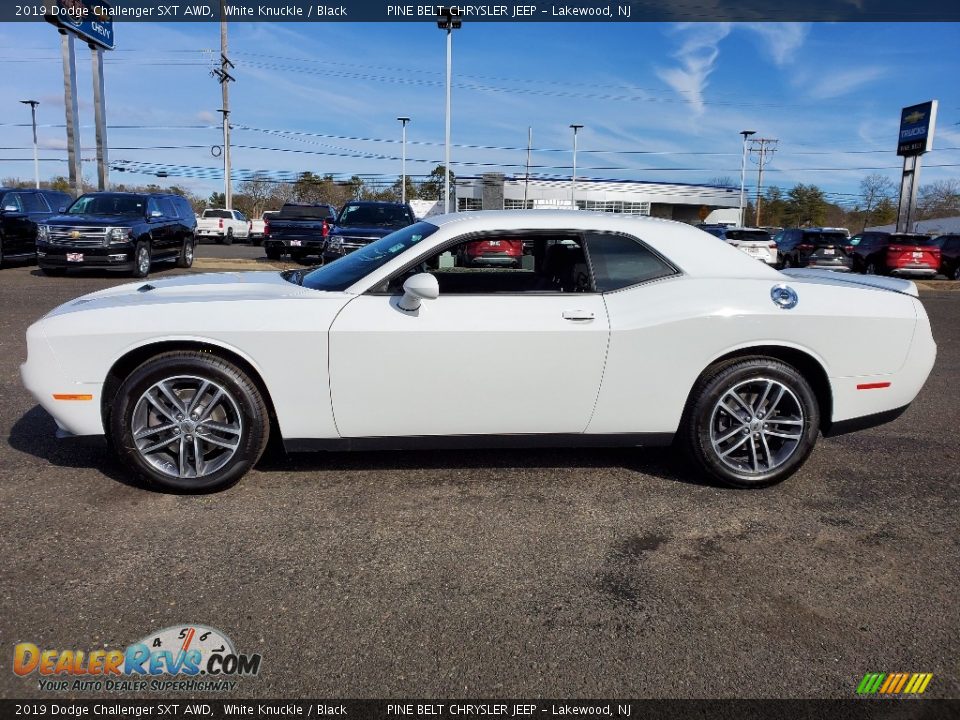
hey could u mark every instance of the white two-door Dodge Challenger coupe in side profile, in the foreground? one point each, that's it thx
(614, 331)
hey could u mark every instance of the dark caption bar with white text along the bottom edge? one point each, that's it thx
(419, 709)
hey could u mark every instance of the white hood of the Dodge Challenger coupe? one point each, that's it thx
(204, 287)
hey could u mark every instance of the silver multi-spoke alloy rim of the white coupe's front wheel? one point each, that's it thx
(186, 426)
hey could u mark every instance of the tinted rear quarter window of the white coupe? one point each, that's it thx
(619, 261)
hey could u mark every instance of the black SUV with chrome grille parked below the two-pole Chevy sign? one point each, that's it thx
(118, 231)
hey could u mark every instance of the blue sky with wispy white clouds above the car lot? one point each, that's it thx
(674, 96)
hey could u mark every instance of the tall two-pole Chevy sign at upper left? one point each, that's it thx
(92, 24)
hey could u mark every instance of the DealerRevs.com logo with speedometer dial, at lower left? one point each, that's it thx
(188, 658)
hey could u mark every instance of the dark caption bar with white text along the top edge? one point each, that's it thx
(93, 15)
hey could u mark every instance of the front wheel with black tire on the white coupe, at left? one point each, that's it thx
(241, 405)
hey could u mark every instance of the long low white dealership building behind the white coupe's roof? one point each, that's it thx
(673, 201)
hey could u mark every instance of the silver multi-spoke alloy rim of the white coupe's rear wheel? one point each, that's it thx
(756, 426)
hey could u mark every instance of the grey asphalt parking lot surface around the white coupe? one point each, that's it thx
(590, 573)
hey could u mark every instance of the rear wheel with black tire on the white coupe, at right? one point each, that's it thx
(735, 449)
